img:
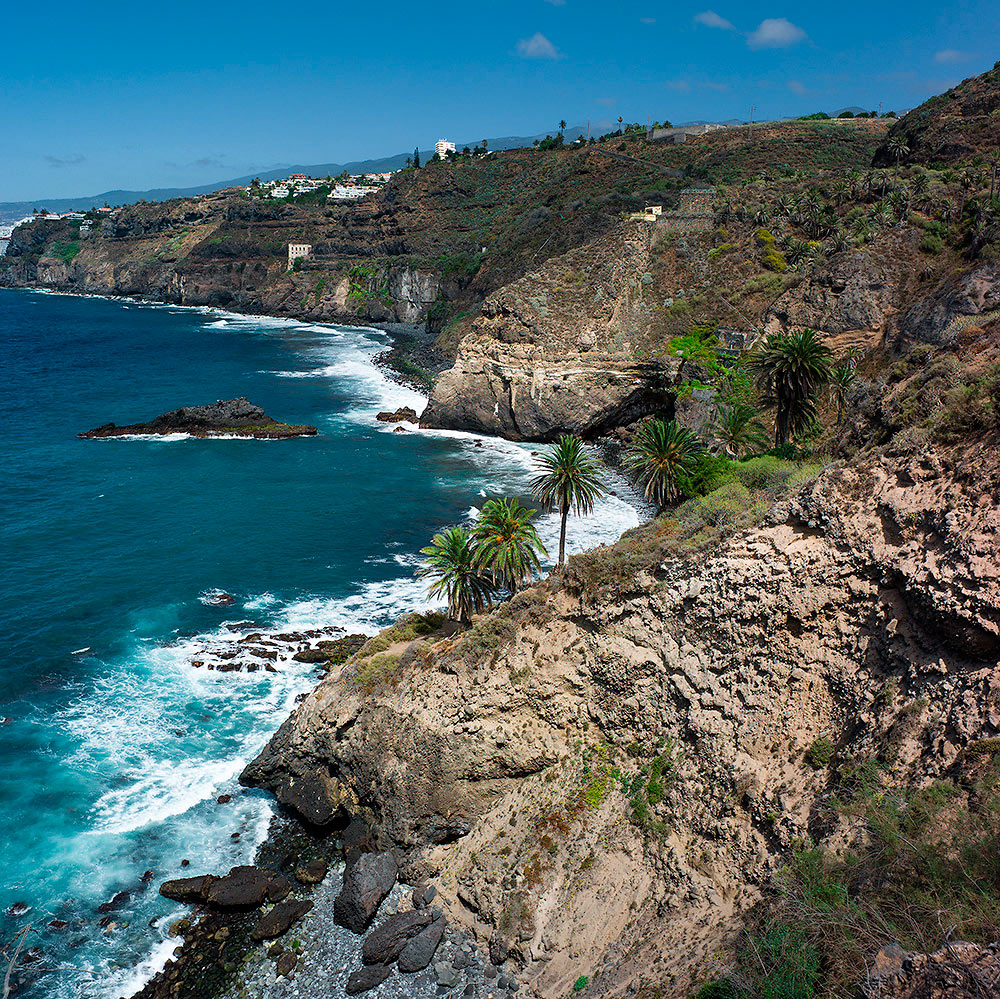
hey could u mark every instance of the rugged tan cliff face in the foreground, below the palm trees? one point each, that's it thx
(631, 740)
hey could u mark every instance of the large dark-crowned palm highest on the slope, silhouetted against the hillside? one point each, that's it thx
(791, 368)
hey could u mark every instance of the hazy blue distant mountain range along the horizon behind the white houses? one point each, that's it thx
(12, 210)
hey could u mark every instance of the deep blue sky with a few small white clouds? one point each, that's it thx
(106, 95)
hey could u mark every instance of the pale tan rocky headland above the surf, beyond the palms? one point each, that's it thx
(554, 352)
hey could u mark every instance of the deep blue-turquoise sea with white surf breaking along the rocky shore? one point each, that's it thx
(113, 747)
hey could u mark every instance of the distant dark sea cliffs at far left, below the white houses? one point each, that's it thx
(169, 258)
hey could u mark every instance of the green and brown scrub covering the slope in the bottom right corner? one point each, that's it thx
(926, 871)
